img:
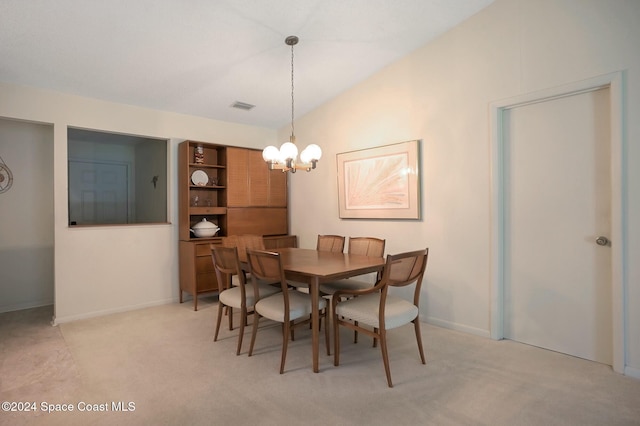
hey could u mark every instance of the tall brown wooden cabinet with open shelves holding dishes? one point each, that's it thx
(234, 189)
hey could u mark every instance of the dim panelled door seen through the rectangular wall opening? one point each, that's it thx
(98, 192)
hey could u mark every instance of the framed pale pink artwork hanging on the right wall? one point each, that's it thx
(380, 183)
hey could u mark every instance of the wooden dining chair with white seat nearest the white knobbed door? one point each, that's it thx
(376, 311)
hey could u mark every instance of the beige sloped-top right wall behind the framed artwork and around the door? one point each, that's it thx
(441, 95)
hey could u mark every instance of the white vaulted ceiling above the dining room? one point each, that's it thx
(198, 57)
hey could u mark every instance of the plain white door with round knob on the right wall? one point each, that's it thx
(557, 202)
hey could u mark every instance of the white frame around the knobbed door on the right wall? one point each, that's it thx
(615, 83)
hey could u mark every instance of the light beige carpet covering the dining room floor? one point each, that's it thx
(164, 360)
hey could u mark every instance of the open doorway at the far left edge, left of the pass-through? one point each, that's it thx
(26, 216)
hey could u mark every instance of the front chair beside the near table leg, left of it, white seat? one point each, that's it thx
(286, 307)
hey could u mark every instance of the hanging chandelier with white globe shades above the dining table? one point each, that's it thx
(285, 158)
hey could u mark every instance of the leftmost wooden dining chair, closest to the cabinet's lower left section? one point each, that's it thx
(226, 263)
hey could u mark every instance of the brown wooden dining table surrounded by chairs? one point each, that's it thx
(315, 267)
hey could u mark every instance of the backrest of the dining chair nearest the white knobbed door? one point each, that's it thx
(403, 269)
